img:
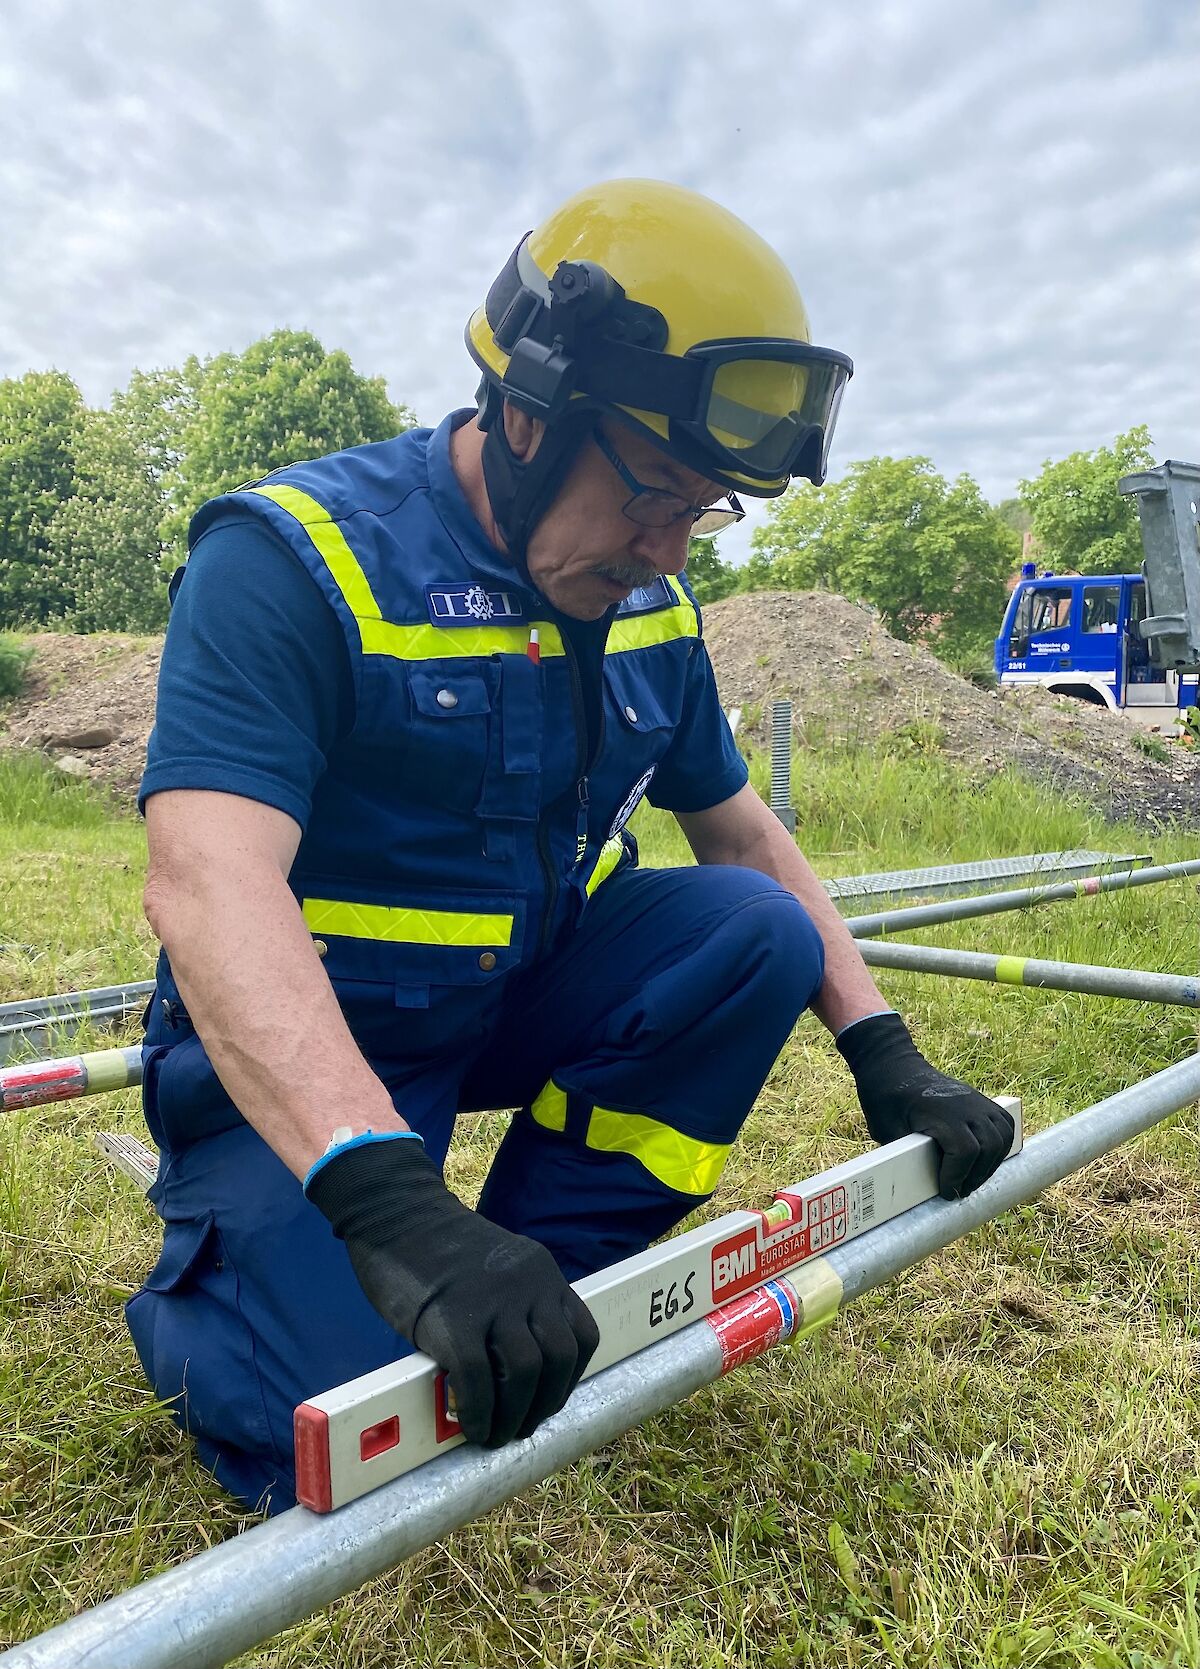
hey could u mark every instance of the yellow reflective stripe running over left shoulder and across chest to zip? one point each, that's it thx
(380, 637)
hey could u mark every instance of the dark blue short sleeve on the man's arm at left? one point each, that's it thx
(256, 682)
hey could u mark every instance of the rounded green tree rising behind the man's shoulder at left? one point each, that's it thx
(281, 401)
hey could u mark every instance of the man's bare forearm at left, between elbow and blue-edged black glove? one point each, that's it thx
(260, 999)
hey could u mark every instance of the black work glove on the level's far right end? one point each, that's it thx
(904, 1096)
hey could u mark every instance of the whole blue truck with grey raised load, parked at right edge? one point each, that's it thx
(1124, 642)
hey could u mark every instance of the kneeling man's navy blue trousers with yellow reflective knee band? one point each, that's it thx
(633, 1056)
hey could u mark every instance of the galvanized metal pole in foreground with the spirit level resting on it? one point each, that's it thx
(231, 1598)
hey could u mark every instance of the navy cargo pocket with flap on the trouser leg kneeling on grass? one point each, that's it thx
(194, 1343)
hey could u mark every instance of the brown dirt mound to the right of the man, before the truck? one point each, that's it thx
(852, 683)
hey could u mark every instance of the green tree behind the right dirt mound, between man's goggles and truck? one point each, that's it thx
(932, 557)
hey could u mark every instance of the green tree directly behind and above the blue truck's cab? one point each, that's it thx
(1081, 520)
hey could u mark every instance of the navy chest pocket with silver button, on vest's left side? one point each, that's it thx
(448, 734)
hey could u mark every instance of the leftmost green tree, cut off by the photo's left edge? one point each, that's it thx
(39, 428)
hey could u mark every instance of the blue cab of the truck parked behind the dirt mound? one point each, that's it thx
(1081, 637)
